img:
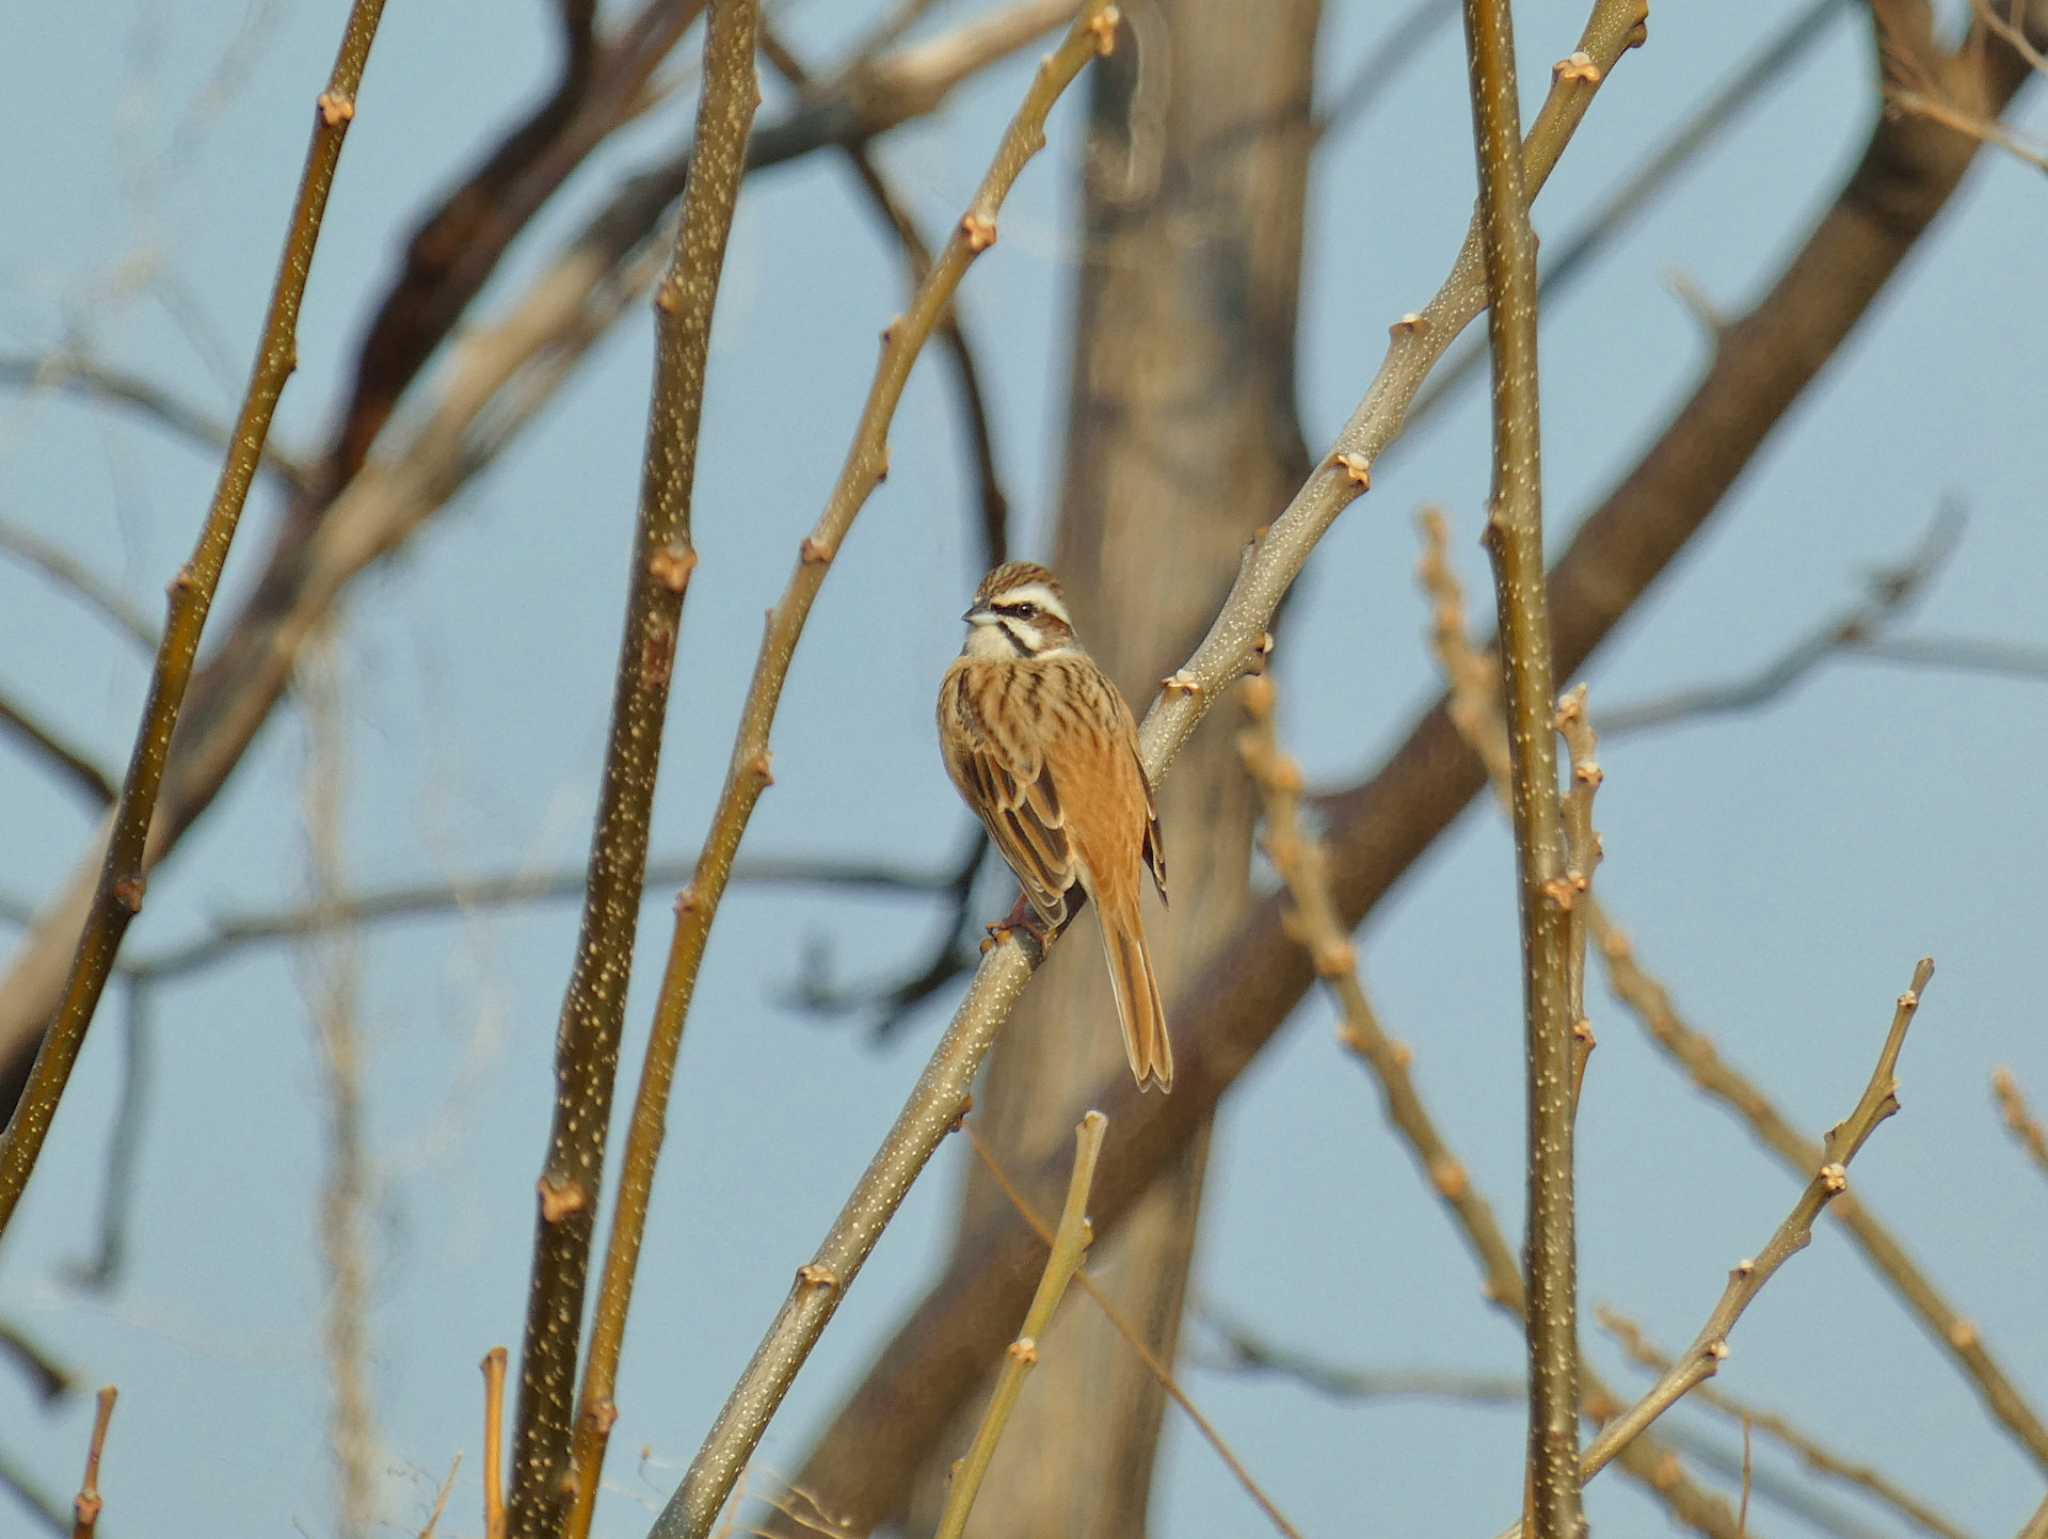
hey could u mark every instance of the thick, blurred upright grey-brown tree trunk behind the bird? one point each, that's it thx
(1183, 440)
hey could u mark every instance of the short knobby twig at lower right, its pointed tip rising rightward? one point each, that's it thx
(1748, 1278)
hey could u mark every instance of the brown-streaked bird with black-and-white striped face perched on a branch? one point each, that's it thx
(1048, 755)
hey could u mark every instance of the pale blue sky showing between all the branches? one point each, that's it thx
(1781, 870)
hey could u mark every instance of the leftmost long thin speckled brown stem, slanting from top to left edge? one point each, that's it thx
(120, 890)
